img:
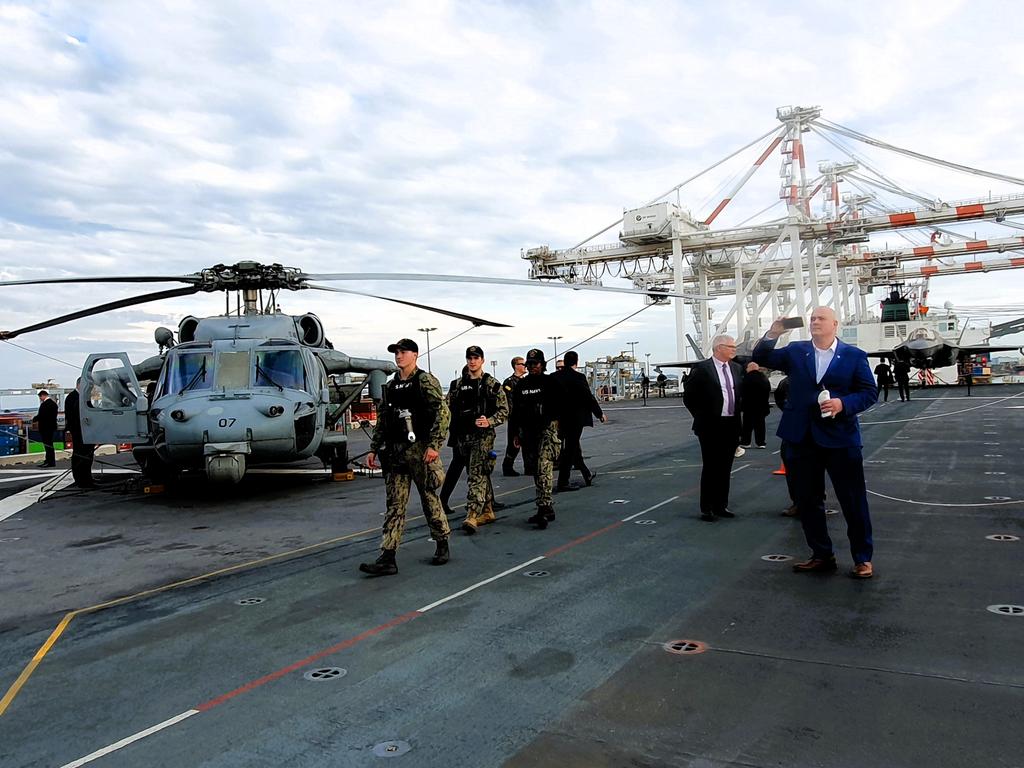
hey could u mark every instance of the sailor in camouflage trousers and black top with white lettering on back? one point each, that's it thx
(537, 402)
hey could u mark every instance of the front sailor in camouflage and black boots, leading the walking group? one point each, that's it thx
(412, 423)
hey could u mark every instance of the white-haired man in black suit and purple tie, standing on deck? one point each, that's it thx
(712, 394)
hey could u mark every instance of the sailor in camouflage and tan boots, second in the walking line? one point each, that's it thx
(478, 404)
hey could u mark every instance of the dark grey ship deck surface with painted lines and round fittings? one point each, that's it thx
(567, 670)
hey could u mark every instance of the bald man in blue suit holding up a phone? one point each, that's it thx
(822, 435)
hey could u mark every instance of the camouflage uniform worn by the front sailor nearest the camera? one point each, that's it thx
(404, 463)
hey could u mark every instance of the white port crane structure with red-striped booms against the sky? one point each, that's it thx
(816, 254)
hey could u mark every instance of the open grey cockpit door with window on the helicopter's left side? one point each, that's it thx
(111, 402)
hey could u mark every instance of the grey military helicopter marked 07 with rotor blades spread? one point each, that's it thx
(233, 391)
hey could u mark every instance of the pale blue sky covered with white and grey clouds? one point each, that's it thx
(146, 139)
